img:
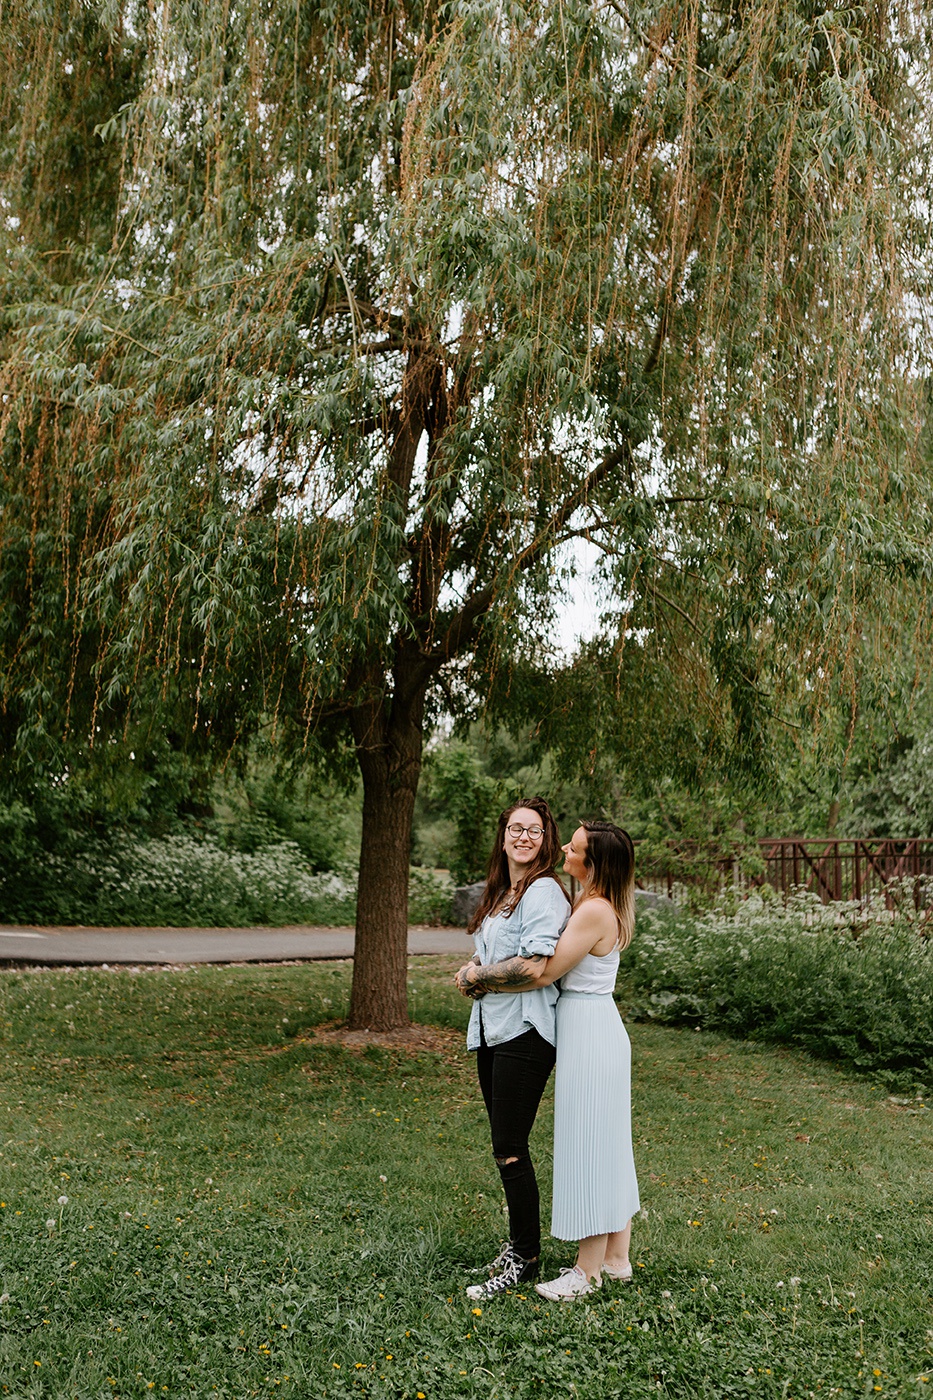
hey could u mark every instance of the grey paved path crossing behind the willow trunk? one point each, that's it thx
(39, 947)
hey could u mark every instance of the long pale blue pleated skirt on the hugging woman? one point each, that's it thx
(595, 1185)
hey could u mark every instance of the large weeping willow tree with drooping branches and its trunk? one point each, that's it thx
(331, 327)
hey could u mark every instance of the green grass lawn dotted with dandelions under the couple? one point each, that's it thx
(257, 1212)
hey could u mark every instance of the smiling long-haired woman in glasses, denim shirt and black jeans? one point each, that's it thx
(520, 916)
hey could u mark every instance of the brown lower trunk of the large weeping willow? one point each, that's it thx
(390, 755)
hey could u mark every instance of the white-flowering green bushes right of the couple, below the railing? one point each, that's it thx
(841, 981)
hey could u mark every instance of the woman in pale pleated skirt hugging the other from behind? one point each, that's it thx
(596, 1191)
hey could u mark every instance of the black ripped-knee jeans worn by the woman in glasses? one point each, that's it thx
(513, 1079)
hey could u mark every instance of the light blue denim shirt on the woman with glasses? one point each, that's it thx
(533, 927)
